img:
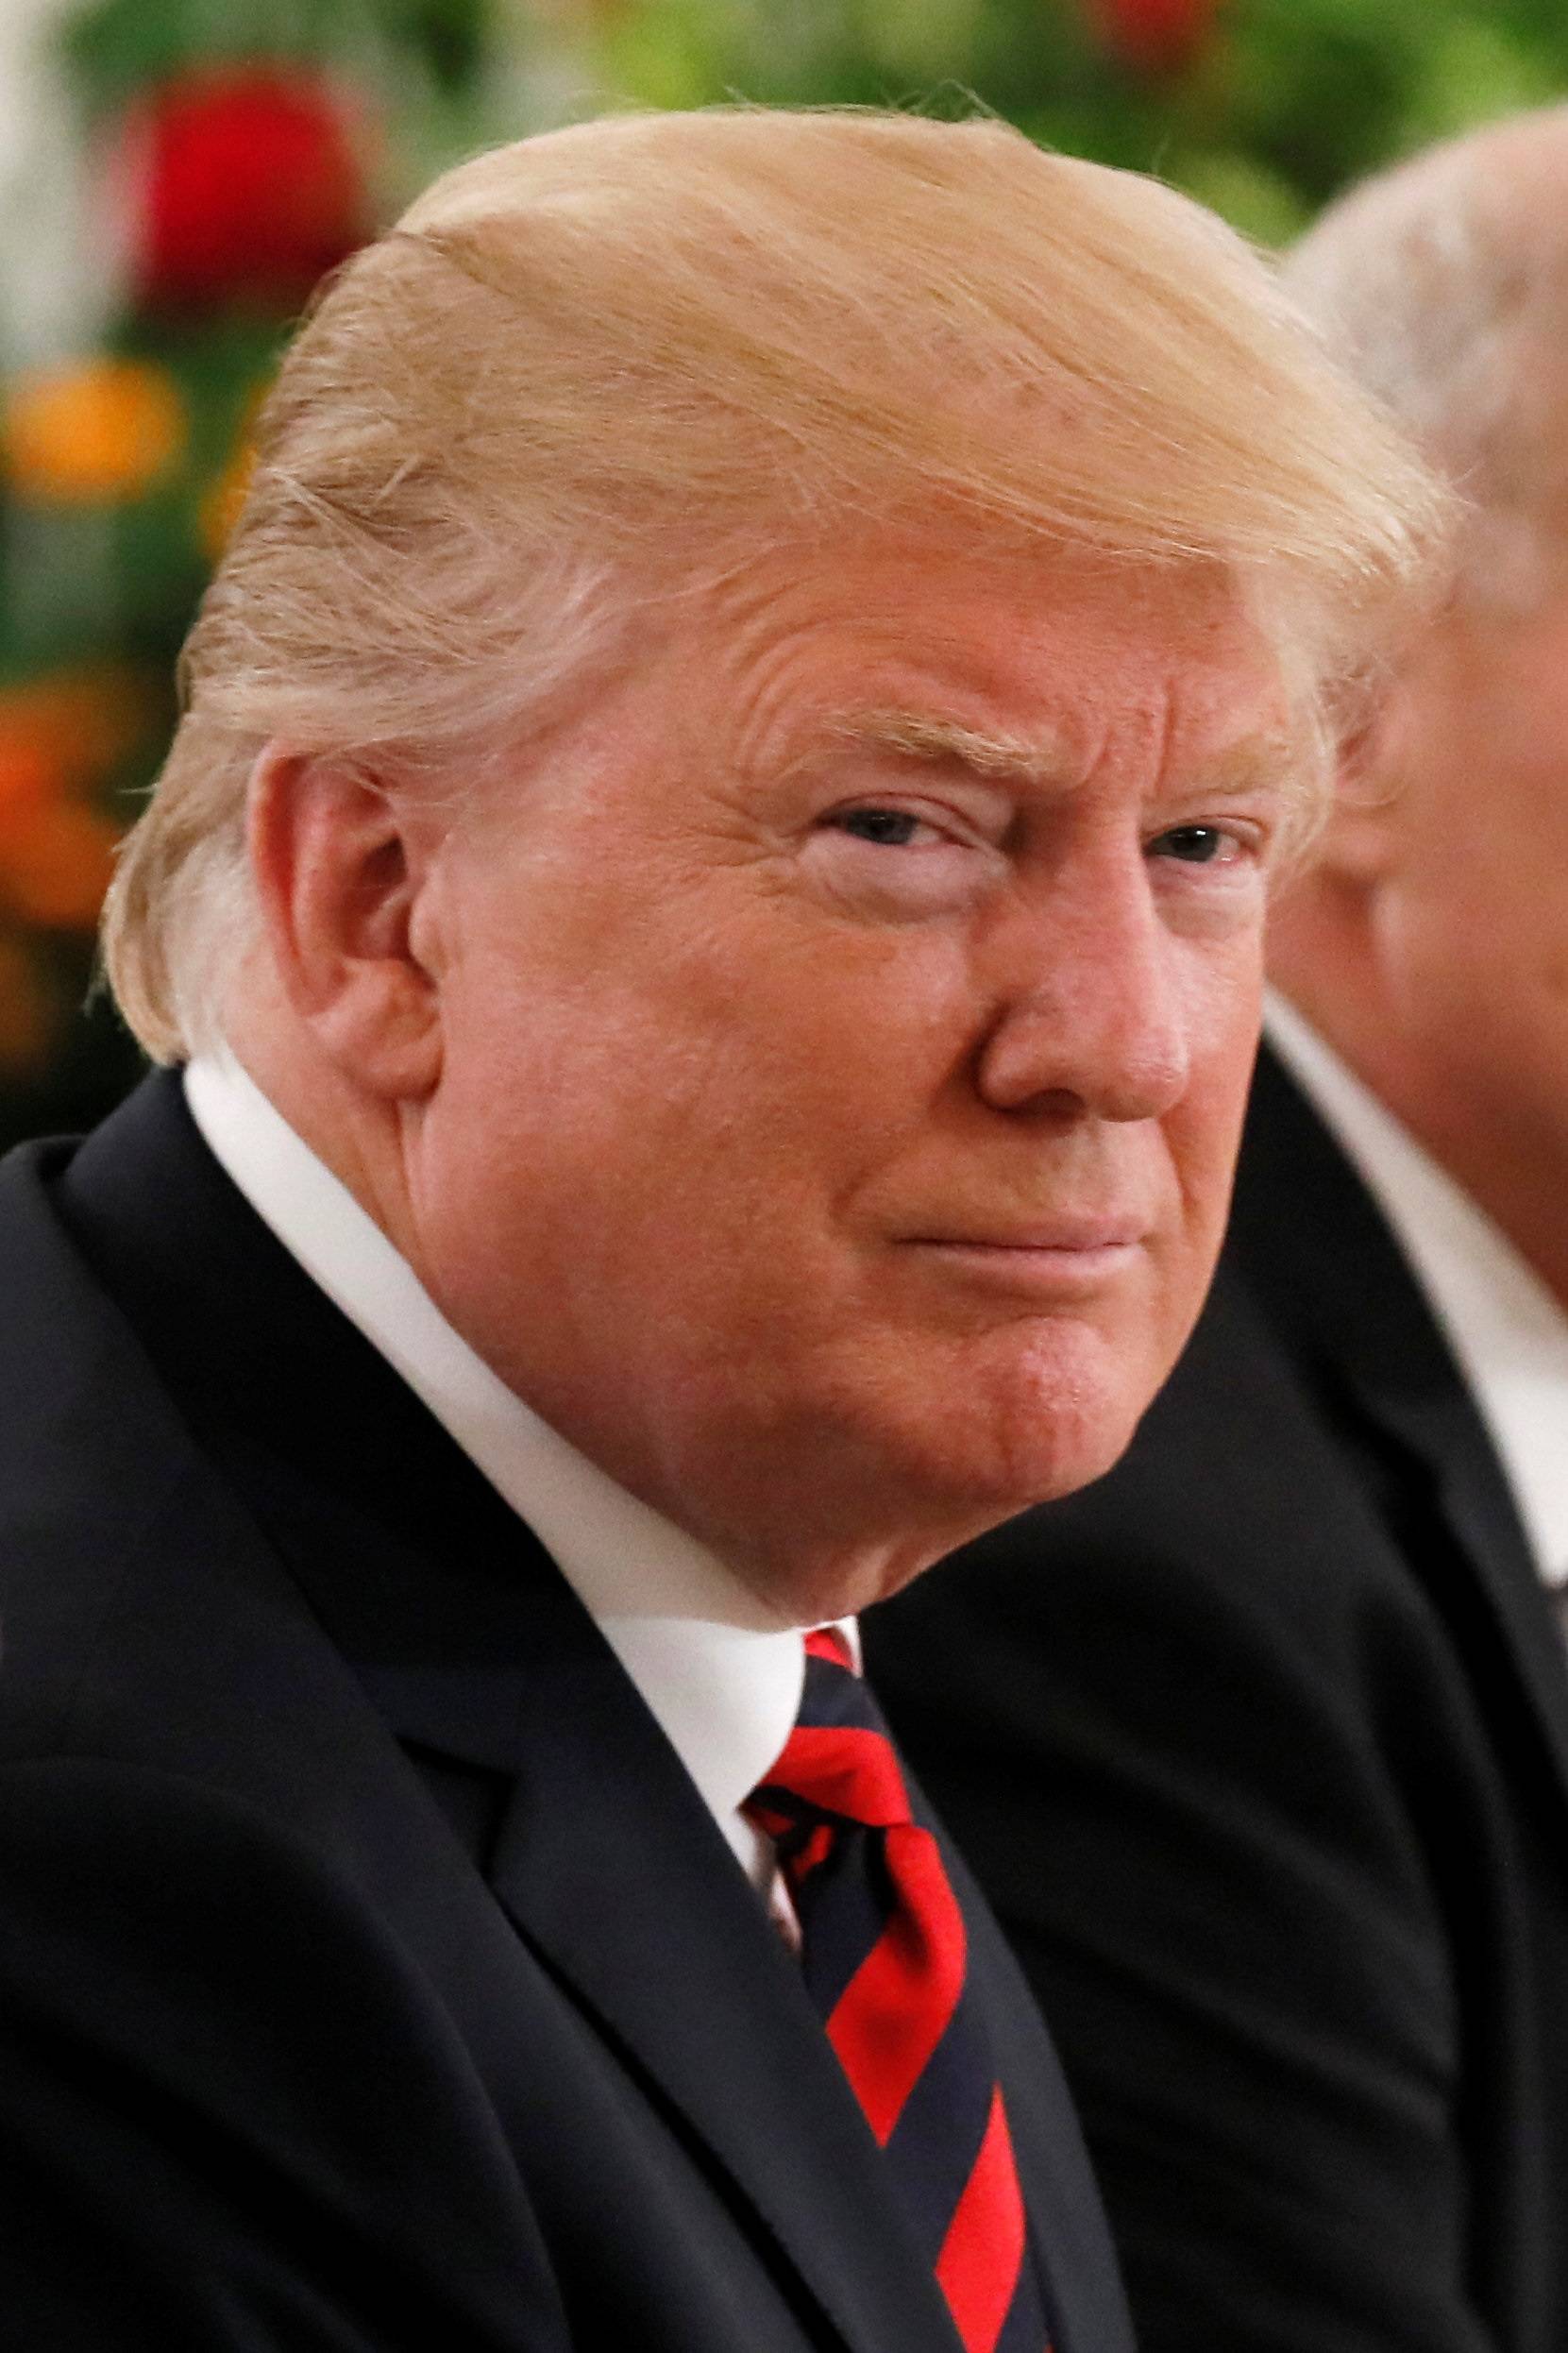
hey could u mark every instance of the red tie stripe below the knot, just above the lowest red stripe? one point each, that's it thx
(897, 2006)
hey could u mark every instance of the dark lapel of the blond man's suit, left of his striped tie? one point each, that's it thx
(469, 1644)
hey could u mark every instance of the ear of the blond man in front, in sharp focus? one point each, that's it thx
(340, 872)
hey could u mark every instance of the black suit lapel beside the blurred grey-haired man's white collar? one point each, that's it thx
(1334, 1277)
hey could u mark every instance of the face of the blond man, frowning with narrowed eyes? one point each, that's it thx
(845, 1046)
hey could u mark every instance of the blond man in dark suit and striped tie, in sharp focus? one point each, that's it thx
(706, 926)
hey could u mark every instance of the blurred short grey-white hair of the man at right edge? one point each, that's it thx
(1442, 284)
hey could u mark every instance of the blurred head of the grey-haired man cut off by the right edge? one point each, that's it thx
(1428, 942)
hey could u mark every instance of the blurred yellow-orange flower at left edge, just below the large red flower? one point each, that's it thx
(91, 434)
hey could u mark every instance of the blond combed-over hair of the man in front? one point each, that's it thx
(601, 364)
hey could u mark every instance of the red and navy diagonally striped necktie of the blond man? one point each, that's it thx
(885, 1949)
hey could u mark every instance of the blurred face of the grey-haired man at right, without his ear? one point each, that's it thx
(1473, 912)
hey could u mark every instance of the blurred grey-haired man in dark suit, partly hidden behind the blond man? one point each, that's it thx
(1261, 1747)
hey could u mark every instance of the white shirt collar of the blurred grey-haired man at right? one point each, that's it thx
(1506, 1328)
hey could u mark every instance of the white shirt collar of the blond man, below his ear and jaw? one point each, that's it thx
(718, 1669)
